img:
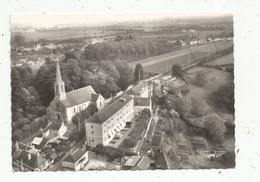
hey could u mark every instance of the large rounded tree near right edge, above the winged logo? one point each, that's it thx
(215, 127)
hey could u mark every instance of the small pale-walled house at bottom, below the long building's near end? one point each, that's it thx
(76, 160)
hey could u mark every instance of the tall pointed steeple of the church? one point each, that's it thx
(59, 86)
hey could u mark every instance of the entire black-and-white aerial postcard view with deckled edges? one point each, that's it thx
(122, 92)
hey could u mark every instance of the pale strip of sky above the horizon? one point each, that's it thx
(95, 19)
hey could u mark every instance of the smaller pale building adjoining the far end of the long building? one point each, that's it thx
(141, 103)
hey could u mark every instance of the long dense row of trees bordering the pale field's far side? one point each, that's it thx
(130, 49)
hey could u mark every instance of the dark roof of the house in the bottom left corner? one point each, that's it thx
(31, 160)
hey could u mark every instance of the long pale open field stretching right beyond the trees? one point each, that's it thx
(163, 63)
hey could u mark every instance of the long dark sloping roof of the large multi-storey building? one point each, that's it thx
(105, 113)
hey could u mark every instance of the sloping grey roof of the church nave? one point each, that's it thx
(79, 96)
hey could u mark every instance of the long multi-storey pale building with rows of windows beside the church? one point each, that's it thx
(102, 126)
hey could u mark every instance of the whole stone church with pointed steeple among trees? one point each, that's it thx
(66, 105)
